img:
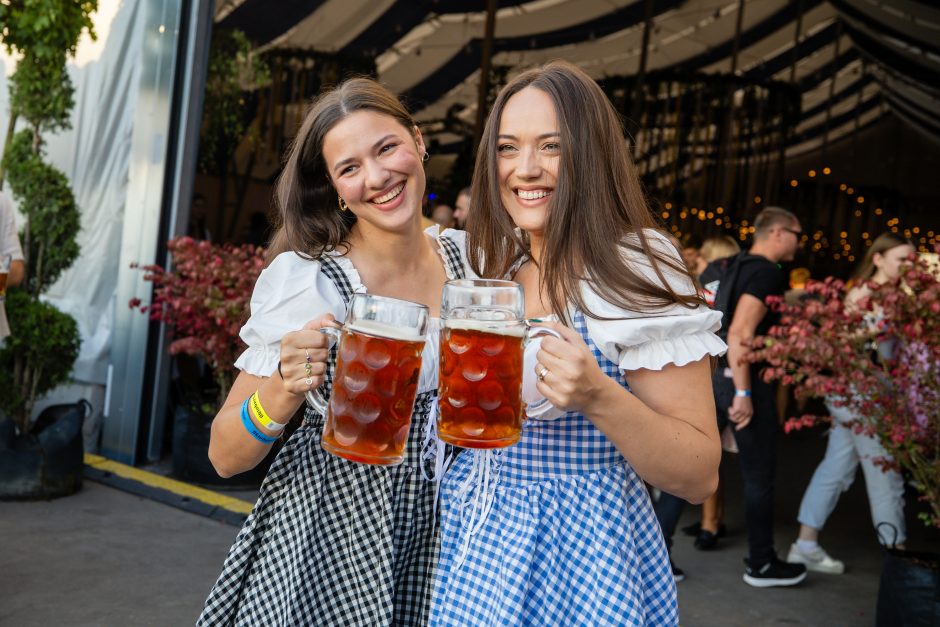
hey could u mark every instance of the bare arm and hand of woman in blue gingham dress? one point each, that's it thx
(666, 428)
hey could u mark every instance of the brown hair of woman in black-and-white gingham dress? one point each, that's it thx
(310, 221)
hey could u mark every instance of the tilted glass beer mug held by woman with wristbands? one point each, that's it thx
(375, 380)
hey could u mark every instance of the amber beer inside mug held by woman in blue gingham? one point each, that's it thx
(481, 383)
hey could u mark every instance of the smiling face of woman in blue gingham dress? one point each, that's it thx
(528, 152)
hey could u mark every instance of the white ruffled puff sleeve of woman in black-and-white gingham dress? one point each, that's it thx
(289, 293)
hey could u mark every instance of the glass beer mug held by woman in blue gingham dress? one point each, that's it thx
(482, 339)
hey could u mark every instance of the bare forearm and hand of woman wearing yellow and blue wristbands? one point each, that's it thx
(232, 449)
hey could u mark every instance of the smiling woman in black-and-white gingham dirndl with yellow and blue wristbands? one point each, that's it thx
(331, 541)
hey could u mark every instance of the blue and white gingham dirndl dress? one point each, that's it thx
(560, 532)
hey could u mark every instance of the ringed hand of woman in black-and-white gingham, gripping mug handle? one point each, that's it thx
(304, 354)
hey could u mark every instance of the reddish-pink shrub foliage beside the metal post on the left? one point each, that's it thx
(205, 299)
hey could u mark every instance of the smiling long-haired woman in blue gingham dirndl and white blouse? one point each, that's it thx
(559, 529)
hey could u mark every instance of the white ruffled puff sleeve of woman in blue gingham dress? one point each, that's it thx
(672, 335)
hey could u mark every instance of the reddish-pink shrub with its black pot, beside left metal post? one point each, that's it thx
(204, 299)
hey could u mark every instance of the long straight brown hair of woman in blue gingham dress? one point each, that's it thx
(598, 209)
